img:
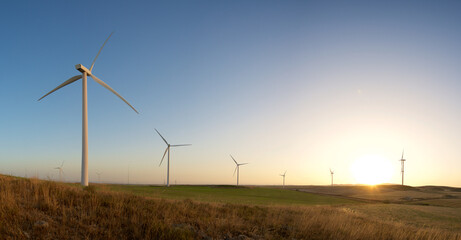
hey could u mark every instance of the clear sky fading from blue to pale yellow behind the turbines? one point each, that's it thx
(301, 86)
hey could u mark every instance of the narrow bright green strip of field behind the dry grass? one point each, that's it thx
(231, 194)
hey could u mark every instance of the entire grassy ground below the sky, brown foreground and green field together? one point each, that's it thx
(37, 209)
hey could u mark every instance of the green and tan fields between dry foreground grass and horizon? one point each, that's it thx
(412, 213)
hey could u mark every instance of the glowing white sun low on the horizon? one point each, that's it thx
(372, 169)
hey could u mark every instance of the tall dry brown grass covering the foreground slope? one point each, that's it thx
(74, 213)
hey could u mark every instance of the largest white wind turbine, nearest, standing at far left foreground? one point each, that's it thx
(86, 72)
